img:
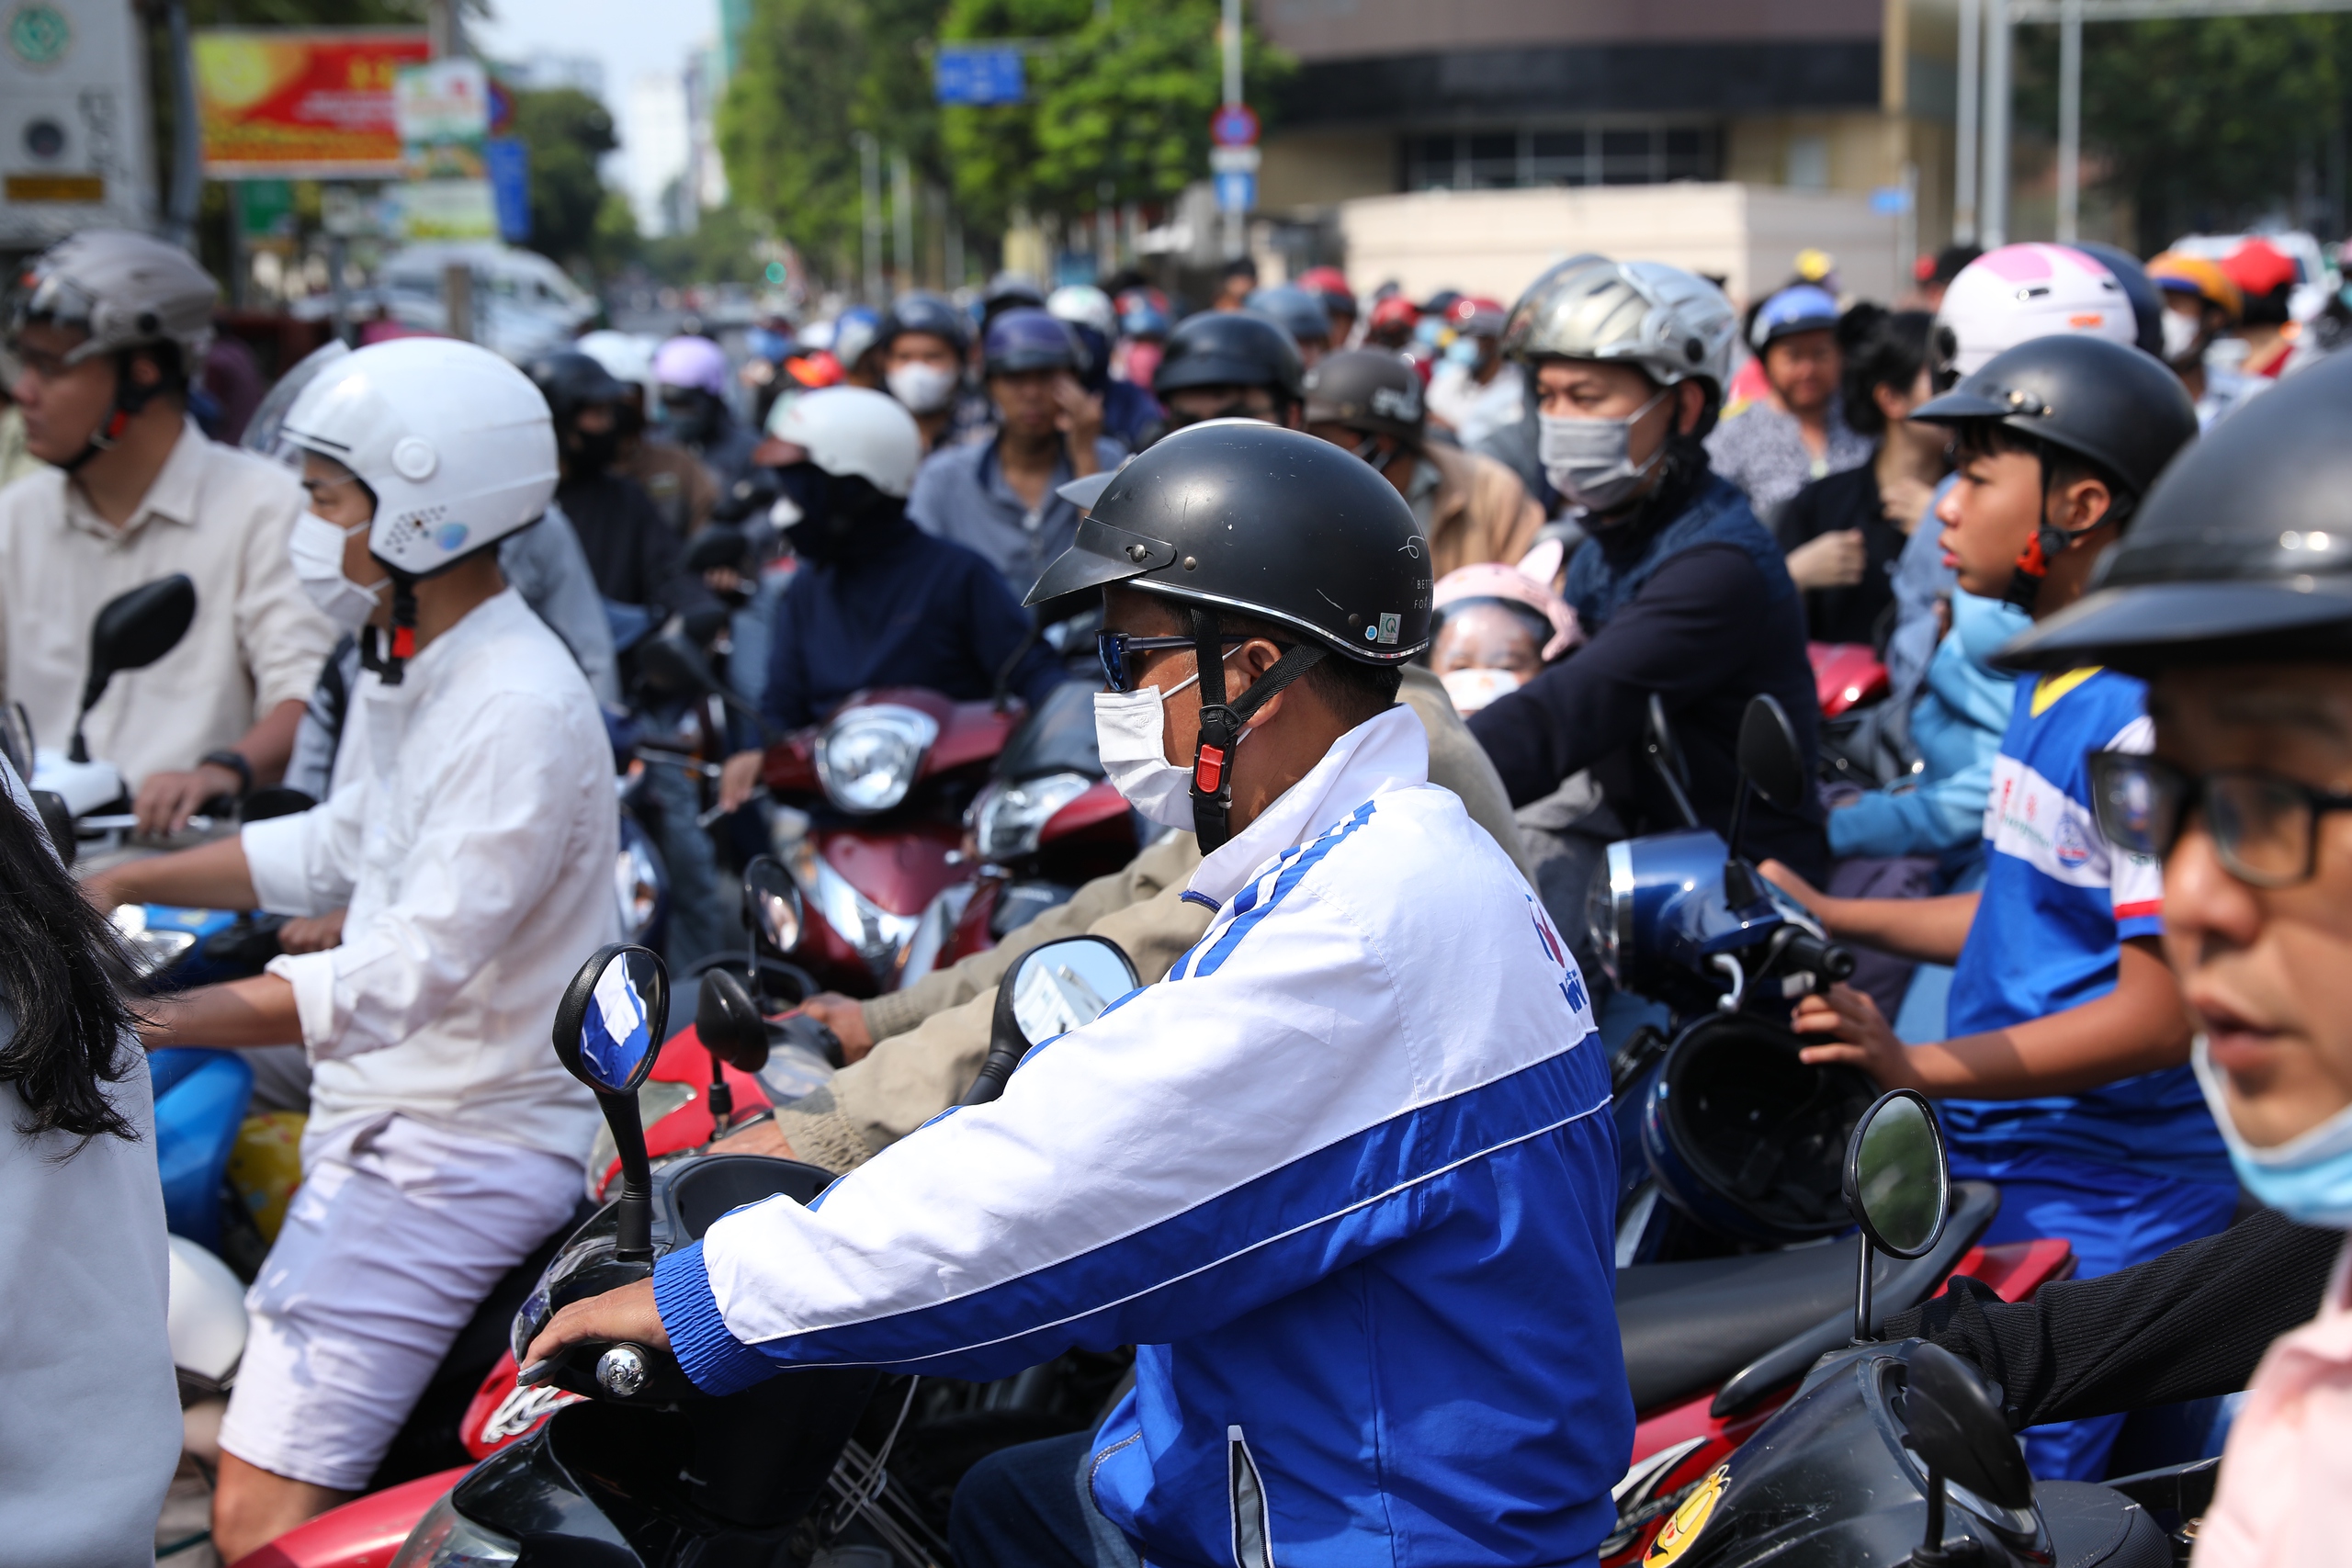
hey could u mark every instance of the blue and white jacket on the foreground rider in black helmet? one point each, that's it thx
(1347, 1181)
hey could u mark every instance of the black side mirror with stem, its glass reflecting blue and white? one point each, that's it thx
(608, 1033)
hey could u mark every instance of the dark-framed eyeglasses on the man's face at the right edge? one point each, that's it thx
(2266, 829)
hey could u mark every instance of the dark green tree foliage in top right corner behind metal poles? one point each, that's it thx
(2205, 123)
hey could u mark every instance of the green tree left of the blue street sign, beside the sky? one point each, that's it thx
(813, 76)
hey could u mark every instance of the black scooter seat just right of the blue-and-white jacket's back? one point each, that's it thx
(1692, 1325)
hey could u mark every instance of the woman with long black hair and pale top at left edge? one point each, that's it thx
(91, 1430)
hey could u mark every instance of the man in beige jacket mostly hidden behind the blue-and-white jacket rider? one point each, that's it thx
(914, 1052)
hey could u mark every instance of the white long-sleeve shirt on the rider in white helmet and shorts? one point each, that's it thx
(472, 838)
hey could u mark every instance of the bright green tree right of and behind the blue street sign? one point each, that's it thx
(1118, 105)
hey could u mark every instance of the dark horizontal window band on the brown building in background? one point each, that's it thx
(1561, 156)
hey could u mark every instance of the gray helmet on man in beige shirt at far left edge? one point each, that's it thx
(123, 290)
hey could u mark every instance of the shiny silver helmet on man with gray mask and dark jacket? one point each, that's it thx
(1666, 323)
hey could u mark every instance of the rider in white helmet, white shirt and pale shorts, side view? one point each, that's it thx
(472, 836)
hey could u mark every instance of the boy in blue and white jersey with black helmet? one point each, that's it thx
(2066, 1073)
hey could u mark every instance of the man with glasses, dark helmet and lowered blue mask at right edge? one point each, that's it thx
(2233, 598)
